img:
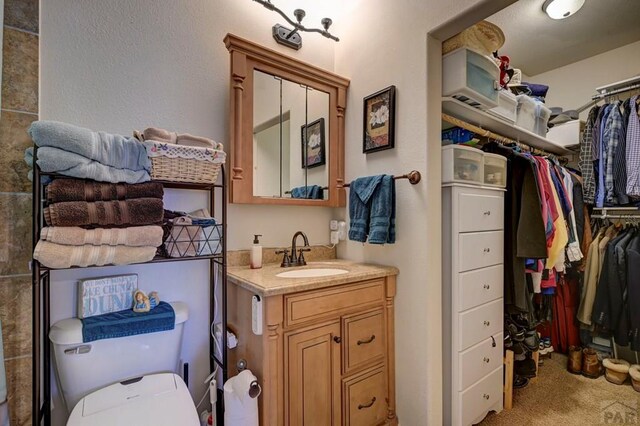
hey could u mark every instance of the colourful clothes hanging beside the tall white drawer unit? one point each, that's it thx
(543, 209)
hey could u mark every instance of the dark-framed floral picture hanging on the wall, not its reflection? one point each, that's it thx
(379, 120)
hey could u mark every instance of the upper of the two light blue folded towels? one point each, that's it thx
(108, 149)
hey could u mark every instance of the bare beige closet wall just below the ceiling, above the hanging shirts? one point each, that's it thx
(572, 86)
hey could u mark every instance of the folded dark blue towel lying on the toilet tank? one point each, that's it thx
(128, 323)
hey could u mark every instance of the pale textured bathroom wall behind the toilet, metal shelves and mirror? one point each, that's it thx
(121, 65)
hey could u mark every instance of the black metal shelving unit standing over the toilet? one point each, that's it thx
(41, 289)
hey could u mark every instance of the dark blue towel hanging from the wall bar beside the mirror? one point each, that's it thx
(372, 209)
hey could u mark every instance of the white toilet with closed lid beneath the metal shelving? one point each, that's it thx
(123, 381)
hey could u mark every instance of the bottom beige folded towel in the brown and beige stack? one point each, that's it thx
(61, 256)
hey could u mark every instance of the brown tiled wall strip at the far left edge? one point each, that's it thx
(19, 99)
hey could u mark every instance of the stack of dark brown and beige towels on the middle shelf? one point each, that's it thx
(93, 223)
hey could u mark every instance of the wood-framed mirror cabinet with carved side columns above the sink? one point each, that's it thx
(286, 129)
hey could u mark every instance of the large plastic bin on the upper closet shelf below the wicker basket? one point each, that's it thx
(471, 78)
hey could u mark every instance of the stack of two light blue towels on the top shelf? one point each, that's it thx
(78, 152)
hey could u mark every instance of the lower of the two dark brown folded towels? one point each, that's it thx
(138, 211)
